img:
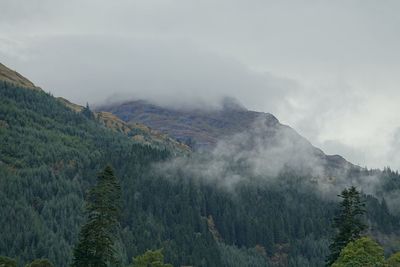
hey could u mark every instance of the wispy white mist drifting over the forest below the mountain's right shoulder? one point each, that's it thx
(276, 155)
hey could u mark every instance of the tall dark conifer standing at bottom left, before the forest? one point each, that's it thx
(96, 238)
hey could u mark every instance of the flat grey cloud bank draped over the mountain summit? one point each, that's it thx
(97, 69)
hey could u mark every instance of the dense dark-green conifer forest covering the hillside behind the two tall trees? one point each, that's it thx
(49, 159)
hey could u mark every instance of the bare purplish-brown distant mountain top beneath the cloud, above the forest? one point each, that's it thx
(203, 129)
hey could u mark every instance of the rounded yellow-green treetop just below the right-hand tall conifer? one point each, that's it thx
(363, 252)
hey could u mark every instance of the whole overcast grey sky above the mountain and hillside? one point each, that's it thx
(329, 69)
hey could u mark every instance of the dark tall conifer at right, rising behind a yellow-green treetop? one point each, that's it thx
(348, 222)
